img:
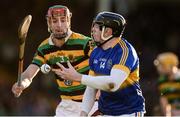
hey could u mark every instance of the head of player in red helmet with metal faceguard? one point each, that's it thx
(59, 21)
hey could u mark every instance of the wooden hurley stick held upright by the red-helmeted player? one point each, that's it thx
(22, 34)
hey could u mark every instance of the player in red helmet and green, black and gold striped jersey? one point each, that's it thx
(63, 45)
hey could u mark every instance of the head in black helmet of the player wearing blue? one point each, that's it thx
(106, 20)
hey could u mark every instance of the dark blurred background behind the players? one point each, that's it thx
(153, 27)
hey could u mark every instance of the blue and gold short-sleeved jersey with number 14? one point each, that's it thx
(128, 99)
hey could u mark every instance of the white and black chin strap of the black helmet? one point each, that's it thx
(106, 39)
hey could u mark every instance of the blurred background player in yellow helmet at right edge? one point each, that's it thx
(168, 83)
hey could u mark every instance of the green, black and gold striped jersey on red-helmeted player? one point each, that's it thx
(76, 50)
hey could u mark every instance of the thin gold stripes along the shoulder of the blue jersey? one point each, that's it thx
(124, 54)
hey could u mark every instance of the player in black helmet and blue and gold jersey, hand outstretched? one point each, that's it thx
(114, 70)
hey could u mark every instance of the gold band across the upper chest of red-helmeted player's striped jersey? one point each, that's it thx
(65, 53)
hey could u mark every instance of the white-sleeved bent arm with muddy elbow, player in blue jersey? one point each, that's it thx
(107, 83)
